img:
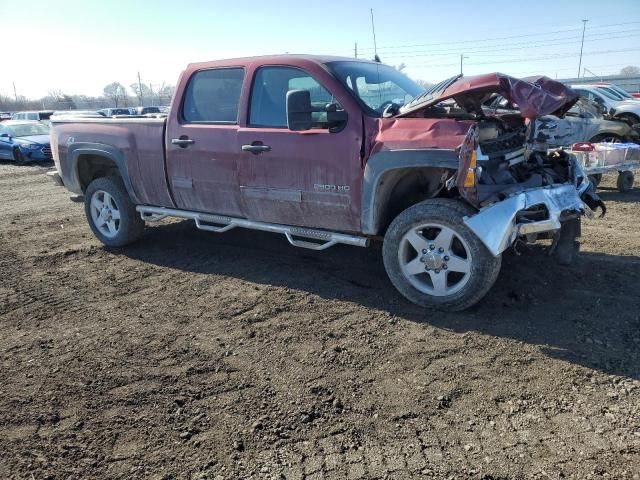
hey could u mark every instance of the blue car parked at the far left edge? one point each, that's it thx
(24, 141)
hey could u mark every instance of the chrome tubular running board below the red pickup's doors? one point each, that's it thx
(219, 224)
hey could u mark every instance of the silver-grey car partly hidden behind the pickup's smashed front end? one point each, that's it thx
(584, 122)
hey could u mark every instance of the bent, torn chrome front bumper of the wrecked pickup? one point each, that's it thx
(496, 224)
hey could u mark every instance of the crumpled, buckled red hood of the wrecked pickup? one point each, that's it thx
(534, 96)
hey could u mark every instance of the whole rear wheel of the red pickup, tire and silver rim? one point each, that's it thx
(110, 212)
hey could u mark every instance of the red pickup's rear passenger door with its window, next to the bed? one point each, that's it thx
(201, 145)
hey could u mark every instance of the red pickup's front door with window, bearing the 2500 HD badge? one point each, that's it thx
(310, 178)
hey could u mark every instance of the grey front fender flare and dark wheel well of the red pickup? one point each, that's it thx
(396, 179)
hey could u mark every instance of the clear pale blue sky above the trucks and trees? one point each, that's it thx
(80, 46)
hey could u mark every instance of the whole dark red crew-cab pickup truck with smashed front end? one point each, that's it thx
(329, 150)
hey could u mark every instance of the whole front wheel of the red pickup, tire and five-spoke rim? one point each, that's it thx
(435, 260)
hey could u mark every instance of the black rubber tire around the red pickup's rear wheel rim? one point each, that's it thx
(130, 226)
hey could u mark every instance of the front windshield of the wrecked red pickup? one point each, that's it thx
(376, 86)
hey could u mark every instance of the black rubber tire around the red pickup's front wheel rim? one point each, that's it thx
(484, 267)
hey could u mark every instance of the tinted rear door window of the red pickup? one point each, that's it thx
(213, 96)
